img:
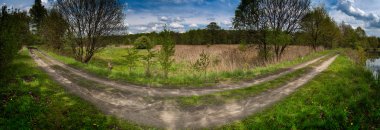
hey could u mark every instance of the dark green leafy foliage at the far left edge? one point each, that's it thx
(14, 32)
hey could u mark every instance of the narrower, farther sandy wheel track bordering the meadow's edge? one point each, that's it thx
(162, 92)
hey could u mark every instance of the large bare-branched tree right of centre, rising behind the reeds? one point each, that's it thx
(271, 16)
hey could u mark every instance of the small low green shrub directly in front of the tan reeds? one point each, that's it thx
(202, 63)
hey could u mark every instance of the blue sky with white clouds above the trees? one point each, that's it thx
(182, 15)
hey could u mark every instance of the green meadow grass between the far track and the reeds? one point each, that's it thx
(180, 75)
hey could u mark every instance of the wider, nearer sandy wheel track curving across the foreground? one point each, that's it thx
(165, 114)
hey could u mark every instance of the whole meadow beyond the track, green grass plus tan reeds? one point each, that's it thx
(228, 63)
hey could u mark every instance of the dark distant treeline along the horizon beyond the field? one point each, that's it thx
(208, 37)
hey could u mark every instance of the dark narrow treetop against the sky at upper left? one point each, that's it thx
(38, 13)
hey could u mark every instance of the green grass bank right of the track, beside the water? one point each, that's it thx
(343, 97)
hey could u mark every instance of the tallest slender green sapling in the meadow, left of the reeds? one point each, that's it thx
(166, 53)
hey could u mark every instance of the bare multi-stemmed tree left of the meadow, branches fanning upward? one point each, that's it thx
(89, 21)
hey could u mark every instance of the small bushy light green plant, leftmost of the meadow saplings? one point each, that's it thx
(131, 58)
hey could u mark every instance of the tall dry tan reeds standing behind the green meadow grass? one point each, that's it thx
(229, 57)
